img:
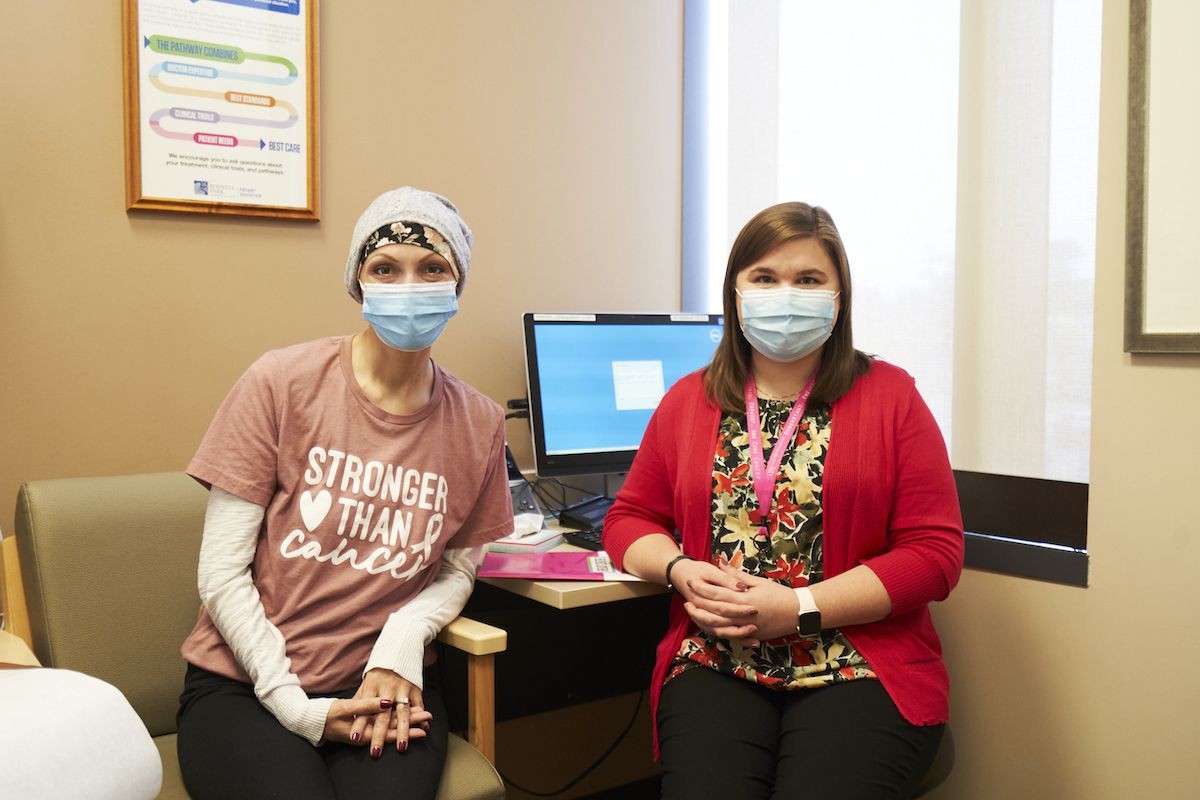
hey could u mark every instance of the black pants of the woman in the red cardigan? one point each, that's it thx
(727, 738)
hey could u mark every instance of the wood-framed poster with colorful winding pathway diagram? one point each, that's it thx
(221, 107)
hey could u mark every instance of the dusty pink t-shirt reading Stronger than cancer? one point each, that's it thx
(361, 503)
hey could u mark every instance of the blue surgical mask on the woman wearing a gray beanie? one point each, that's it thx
(410, 316)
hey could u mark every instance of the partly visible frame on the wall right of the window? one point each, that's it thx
(1160, 273)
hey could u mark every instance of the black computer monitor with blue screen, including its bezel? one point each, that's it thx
(596, 380)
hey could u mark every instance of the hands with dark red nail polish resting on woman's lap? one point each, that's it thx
(377, 715)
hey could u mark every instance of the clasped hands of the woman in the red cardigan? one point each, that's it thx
(735, 605)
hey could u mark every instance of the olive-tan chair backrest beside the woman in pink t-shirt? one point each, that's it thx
(110, 573)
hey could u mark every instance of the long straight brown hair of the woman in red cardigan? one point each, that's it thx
(841, 363)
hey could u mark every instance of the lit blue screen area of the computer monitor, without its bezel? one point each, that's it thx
(602, 383)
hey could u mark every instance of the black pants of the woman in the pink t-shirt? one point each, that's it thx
(231, 747)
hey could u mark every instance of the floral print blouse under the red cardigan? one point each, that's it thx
(791, 552)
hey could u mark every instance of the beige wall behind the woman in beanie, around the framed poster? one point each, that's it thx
(555, 127)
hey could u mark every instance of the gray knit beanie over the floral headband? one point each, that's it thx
(409, 204)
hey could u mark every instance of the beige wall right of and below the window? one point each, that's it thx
(1065, 693)
